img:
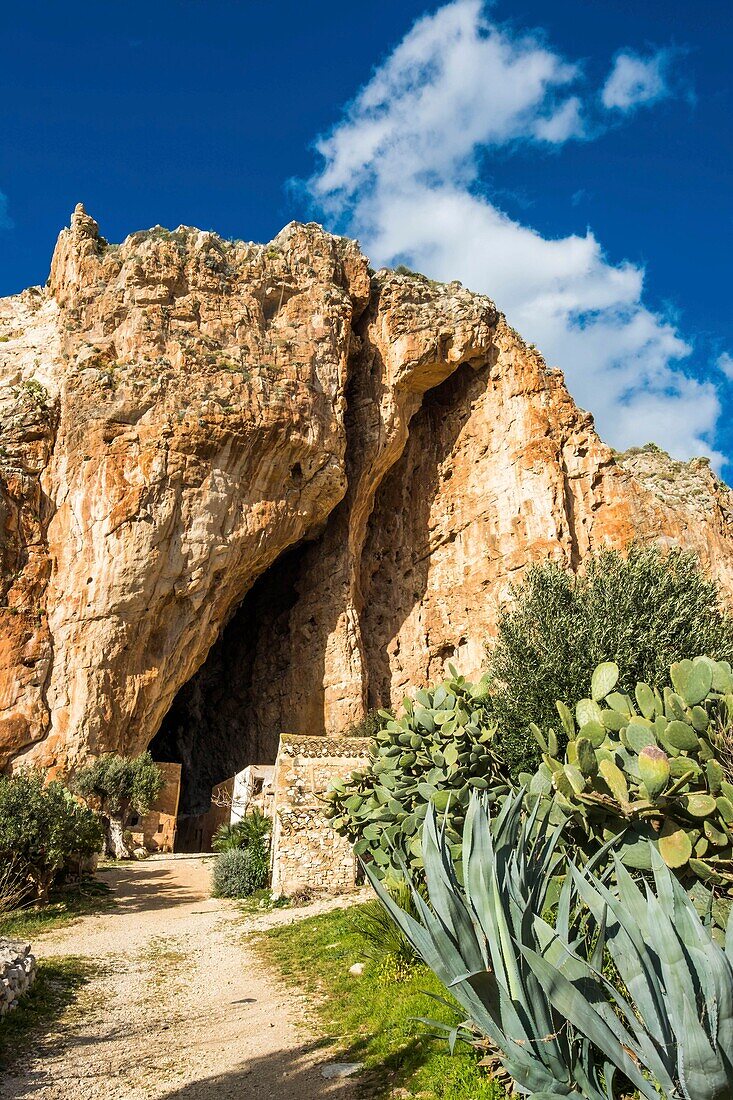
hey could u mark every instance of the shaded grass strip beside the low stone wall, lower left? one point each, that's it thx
(54, 989)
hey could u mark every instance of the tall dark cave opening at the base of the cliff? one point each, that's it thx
(226, 717)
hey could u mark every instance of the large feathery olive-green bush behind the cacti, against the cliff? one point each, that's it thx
(644, 611)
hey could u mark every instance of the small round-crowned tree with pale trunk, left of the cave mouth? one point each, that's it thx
(119, 787)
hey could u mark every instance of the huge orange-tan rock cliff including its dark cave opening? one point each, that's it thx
(251, 489)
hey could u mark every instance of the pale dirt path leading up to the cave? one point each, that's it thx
(181, 1008)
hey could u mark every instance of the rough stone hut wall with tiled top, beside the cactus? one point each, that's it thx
(307, 853)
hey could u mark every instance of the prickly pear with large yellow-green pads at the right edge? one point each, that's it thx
(648, 769)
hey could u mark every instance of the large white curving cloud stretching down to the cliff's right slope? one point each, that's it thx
(402, 171)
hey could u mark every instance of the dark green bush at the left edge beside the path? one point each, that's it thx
(42, 829)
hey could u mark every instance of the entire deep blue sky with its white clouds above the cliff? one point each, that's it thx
(572, 160)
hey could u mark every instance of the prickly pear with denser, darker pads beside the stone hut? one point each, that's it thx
(439, 751)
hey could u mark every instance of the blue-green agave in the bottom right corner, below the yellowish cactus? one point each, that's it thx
(677, 1018)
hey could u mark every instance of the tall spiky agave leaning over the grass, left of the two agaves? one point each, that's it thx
(472, 937)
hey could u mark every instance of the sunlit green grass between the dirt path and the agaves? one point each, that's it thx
(373, 1020)
